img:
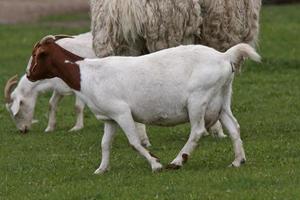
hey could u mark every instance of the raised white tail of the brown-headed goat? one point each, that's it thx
(239, 52)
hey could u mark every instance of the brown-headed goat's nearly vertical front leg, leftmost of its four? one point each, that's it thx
(110, 128)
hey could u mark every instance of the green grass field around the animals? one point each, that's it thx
(60, 165)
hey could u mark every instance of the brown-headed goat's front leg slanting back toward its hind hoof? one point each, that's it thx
(126, 122)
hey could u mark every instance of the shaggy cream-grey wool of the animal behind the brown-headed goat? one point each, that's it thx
(135, 27)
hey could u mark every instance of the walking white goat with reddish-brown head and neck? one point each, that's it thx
(177, 85)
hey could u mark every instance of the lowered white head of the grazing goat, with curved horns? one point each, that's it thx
(20, 103)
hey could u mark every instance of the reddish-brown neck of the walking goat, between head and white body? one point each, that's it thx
(67, 69)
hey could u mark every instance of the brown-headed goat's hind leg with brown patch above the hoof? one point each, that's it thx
(196, 116)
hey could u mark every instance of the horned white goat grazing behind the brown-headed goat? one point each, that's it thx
(21, 102)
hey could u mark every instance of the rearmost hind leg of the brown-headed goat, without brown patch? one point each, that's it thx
(231, 124)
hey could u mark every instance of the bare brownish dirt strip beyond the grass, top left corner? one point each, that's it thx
(16, 11)
